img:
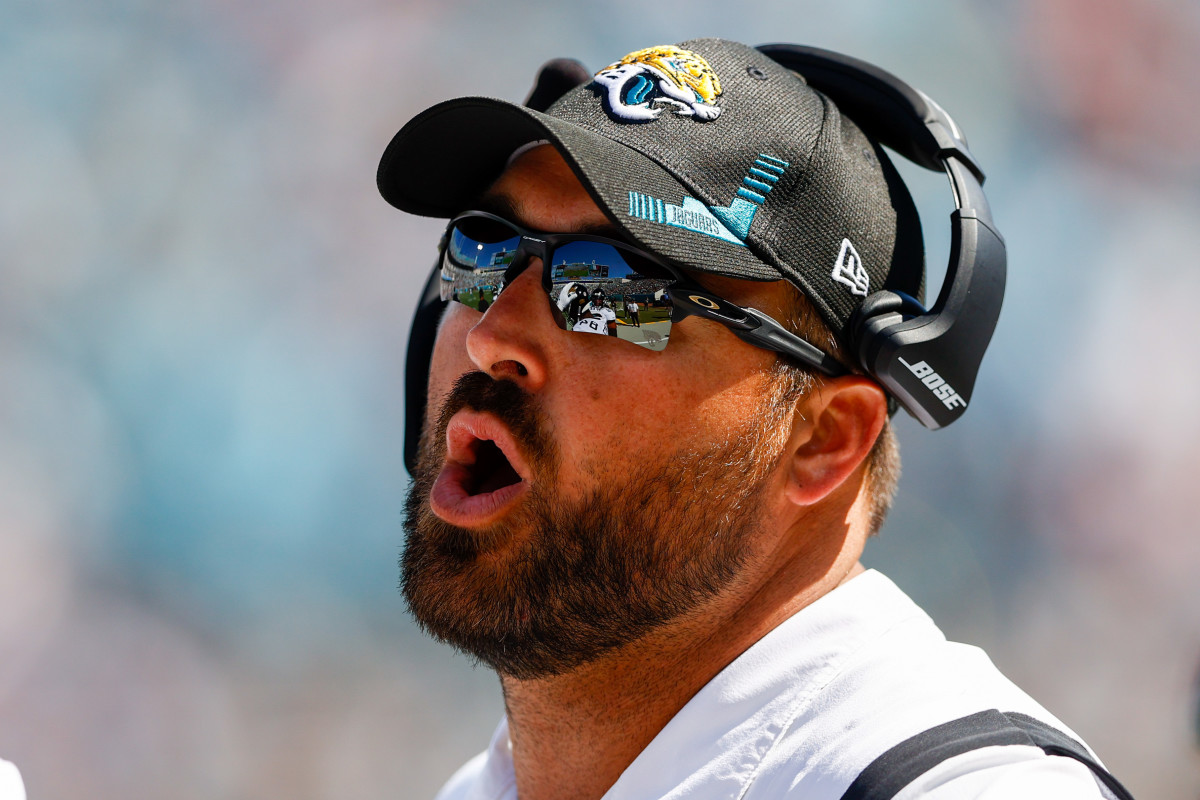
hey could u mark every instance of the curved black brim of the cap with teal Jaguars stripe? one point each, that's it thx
(451, 154)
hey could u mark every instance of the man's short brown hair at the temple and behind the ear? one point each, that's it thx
(884, 461)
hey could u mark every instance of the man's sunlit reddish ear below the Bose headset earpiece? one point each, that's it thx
(835, 430)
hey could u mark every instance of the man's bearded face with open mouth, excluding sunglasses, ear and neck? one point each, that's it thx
(575, 492)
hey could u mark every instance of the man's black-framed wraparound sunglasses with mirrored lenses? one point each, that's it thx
(602, 286)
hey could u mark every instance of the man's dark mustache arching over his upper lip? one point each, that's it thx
(513, 406)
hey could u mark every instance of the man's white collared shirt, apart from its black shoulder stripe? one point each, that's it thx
(808, 707)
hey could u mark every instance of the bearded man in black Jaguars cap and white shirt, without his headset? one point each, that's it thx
(699, 627)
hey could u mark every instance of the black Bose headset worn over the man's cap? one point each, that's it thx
(926, 359)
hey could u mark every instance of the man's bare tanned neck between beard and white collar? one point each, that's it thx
(574, 735)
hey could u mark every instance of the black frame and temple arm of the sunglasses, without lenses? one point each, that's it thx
(689, 299)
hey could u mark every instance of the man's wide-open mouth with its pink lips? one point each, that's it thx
(484, 472)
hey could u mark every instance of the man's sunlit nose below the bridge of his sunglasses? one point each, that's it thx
(509, 342)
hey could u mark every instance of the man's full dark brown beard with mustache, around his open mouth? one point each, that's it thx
(587, 576)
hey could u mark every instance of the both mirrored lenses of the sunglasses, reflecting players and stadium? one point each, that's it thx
(595, 287)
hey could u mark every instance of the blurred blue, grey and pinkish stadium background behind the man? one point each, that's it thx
(203, 317)
